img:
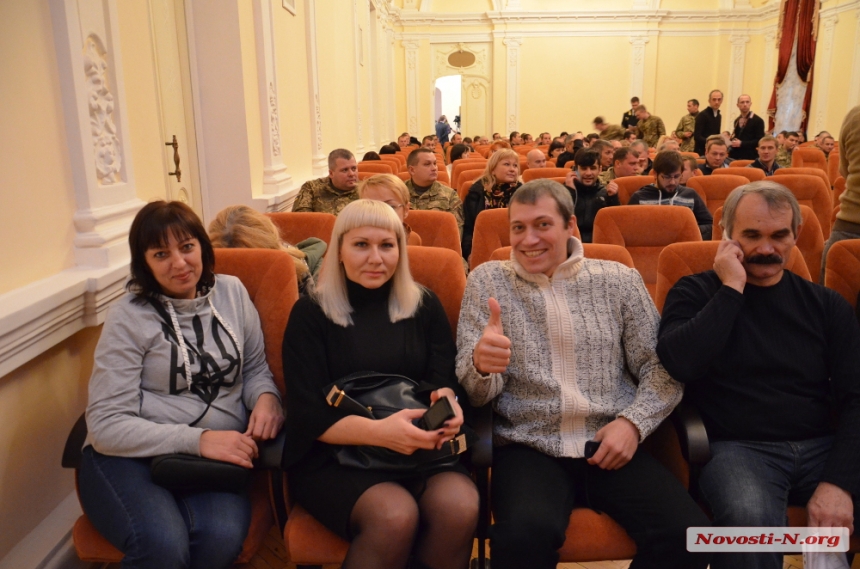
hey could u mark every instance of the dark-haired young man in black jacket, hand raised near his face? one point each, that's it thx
(589, 195)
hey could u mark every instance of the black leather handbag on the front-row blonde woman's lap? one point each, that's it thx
(377, 396)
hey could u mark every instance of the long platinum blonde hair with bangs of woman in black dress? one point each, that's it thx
(331, 293)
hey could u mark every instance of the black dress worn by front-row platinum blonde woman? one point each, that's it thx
(317, 352)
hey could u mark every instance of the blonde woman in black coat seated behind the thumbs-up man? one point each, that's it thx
(493, 189)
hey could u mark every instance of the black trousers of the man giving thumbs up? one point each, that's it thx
(533, 495)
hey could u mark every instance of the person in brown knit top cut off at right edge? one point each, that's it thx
(847, 224)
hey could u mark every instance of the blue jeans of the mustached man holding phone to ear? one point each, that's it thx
(751, 483)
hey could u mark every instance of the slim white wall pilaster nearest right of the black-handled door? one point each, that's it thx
(276, 180)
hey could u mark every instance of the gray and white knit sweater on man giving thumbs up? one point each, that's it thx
(583, 352)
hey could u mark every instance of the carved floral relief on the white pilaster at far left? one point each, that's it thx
(106, 145)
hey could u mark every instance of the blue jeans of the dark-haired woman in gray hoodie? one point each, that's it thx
(154, 527)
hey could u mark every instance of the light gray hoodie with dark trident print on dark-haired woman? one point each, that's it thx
(140, 403)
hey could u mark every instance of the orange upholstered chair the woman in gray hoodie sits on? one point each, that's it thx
(270, 278)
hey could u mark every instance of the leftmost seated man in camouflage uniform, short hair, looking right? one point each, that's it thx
(332, 193)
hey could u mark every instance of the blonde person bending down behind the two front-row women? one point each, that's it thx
(239, 226)
